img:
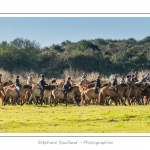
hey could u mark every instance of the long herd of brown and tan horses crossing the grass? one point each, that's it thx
(81, 94)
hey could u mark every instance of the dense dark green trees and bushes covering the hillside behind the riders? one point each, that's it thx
(98, 55)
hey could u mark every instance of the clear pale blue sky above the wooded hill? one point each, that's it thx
(54, 30)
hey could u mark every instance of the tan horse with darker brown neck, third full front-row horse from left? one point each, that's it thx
(71, 95)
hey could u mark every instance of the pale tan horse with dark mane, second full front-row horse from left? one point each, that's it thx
(46, 94)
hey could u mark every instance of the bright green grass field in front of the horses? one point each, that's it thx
(74, 119)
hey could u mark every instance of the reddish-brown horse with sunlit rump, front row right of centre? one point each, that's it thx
(106, 91)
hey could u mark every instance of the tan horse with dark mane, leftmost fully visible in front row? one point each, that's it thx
(12, 93)
